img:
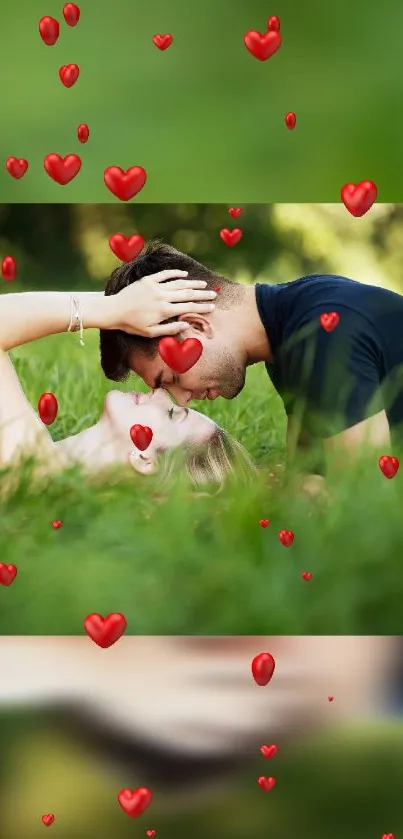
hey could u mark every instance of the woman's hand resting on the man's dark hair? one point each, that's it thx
(140, 308)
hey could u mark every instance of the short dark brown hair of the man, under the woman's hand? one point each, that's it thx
(115, 345)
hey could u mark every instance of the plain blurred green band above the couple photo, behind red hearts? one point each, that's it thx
(205, 118)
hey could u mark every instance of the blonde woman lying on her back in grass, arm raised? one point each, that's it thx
(138, 309)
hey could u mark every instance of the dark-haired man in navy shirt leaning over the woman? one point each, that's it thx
(341, 387)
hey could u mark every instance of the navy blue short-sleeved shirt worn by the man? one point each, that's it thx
(334, 380)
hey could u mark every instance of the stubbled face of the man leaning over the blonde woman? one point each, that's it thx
(217, 373)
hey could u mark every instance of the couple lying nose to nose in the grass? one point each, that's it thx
(341, 387)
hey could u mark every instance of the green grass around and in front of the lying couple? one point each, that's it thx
(183, 564)
